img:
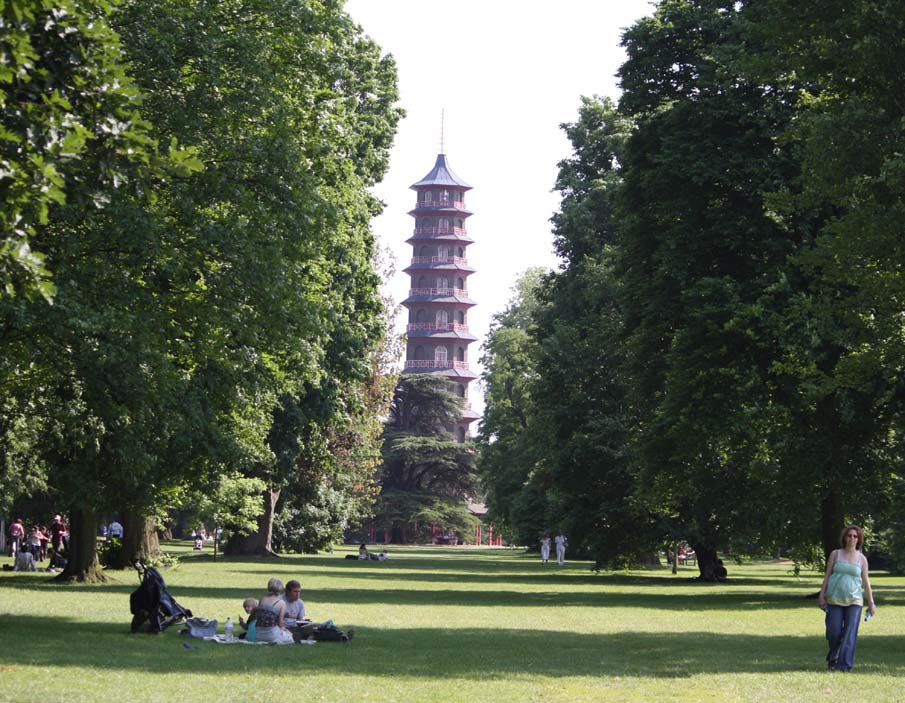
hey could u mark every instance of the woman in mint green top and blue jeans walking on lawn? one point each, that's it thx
(842, 594)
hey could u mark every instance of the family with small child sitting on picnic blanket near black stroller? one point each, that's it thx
(280, 617)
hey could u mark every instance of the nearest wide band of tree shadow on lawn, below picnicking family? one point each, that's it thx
(437, 652)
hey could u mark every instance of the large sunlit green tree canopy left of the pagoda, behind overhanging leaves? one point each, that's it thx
(213, 281)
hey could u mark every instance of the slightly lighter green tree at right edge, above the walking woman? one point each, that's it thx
(843, 330)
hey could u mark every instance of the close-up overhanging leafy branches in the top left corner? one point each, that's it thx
(65, 97)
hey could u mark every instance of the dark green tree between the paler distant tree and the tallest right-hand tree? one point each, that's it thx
(583, 409)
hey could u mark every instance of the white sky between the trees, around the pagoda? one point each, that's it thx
(507, 73)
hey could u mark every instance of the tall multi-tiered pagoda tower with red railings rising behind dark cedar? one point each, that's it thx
(438, 303)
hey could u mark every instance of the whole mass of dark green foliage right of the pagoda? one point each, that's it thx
(720, 357)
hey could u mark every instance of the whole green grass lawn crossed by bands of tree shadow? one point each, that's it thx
(452, 624)
